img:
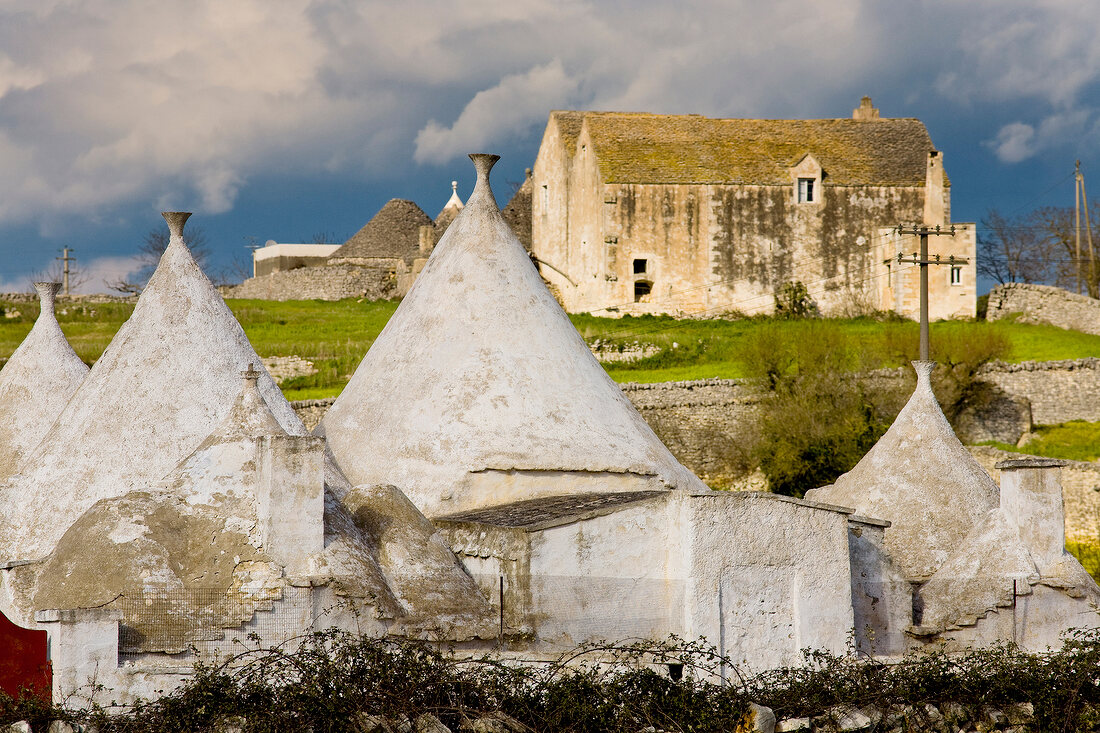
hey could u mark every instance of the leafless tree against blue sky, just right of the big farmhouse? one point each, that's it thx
(1016, 250)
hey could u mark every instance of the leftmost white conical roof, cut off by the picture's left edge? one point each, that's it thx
(36, 384)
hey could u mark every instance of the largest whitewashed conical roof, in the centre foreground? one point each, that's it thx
(480, 391)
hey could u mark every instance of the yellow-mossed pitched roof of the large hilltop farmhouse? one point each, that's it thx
(686, 149)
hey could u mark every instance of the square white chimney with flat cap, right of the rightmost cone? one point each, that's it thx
(1031, 497)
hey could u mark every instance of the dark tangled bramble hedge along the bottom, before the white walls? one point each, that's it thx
(335, 680)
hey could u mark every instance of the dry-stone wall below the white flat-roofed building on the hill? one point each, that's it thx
(322, 283)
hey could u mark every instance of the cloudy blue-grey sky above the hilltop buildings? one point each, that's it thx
(283, 119)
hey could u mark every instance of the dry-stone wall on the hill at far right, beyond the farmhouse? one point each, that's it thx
(1043, 304)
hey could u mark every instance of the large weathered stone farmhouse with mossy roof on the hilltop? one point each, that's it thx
(683, 214)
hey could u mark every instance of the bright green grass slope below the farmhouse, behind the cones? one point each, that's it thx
(335, 336)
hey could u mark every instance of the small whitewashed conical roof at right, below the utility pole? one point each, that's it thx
(920, 478)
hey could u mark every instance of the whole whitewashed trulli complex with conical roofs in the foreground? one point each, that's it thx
(511, 501)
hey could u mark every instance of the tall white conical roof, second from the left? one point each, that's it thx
(167, 380)
